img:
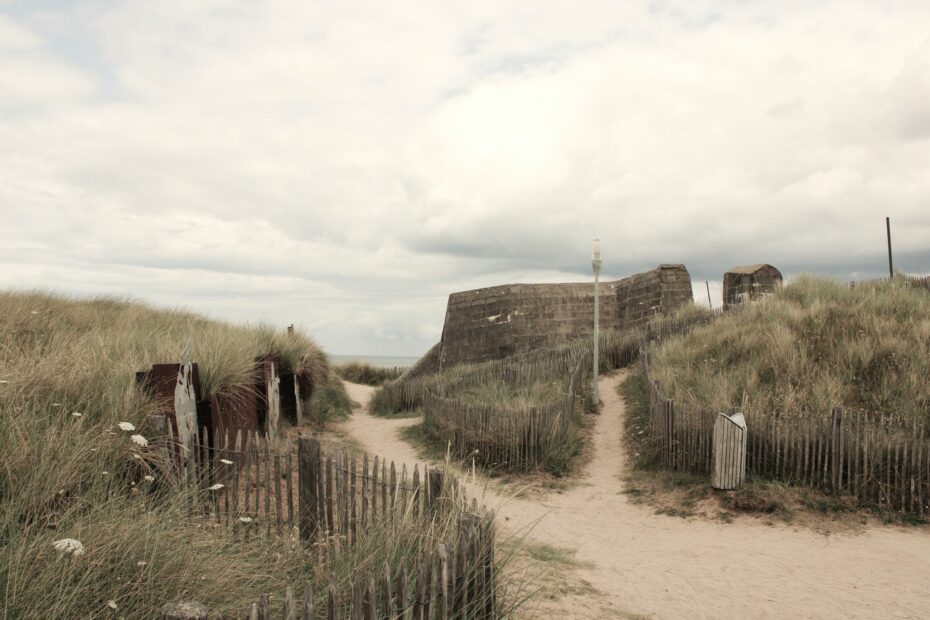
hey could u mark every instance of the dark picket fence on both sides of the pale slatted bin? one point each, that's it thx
(881, 463)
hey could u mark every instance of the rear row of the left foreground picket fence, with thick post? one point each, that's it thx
(259, 484)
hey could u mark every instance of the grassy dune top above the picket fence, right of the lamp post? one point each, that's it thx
(814, 344)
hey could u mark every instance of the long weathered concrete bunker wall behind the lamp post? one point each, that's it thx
(496, 322)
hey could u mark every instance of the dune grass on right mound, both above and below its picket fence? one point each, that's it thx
(814, 344)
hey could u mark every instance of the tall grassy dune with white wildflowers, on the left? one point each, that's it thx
(66, 381)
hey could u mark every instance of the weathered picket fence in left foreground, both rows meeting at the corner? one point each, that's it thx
(262, 486)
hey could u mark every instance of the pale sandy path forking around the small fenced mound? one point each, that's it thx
(674, 568)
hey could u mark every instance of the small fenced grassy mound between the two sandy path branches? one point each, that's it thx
(517, 414)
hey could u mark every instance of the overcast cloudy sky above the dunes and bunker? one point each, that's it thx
(345, 166)
